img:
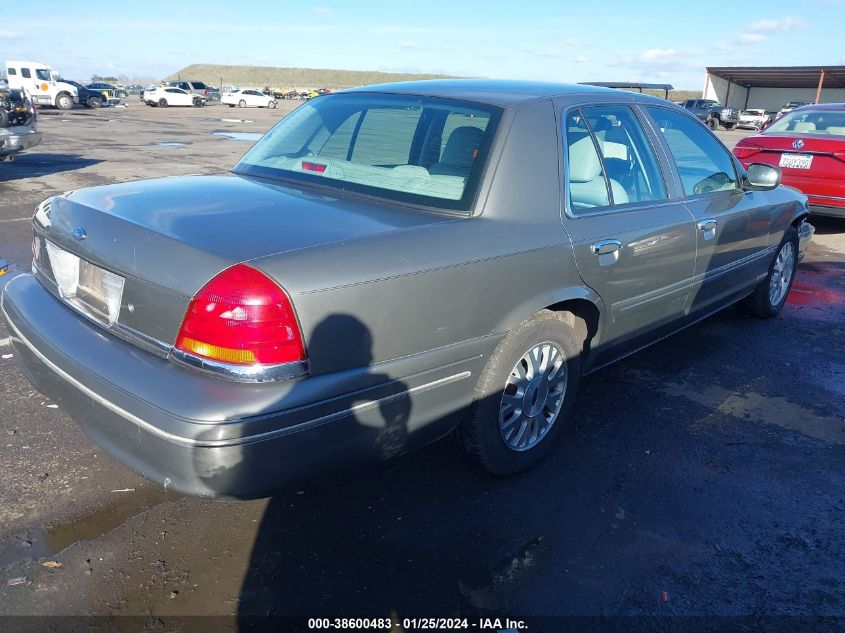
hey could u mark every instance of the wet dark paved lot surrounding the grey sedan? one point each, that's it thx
(704, 476)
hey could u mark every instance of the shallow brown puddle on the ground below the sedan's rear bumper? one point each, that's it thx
(47, 541)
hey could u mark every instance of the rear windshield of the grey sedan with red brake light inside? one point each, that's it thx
(419, 150)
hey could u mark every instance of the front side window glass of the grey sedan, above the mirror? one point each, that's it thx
(703, 163)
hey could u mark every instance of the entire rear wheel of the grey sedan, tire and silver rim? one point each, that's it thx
(524, 395)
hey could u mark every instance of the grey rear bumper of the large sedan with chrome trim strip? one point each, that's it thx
(207, 437)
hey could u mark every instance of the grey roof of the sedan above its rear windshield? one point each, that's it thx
(498, 92)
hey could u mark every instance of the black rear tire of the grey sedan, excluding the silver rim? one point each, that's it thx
(480, 435)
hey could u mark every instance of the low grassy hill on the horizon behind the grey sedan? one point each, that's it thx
(298, 78)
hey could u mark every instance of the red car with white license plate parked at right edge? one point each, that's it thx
(808, 144)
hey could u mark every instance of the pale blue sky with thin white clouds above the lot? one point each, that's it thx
(645, 41)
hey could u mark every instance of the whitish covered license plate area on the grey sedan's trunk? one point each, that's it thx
(92, 290)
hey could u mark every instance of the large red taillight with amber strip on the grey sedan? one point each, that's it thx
(241, 317)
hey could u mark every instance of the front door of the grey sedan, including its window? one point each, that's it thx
(732, 224)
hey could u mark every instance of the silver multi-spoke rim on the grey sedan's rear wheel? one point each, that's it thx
(533, 397)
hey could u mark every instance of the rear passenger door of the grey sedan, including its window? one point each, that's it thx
(633, 244)
